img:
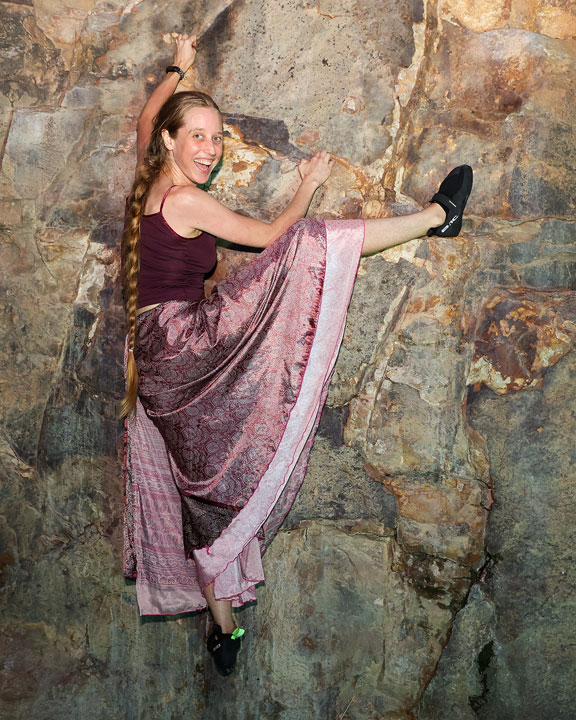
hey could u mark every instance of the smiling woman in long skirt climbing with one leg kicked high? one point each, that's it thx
(227, 391)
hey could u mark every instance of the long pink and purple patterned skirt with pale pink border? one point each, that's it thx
(231, 389)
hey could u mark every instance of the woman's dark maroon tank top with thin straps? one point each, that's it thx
(172, 267)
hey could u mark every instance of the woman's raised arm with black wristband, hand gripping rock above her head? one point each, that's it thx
(184, 56)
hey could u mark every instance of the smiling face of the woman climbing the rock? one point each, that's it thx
(197, 147)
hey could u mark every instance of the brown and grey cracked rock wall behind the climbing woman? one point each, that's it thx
(427, 568)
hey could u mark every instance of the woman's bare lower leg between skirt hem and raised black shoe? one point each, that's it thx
(387, 232)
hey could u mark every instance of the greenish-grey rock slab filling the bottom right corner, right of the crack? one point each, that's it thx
(514, 641)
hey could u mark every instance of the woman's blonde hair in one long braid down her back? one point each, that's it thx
(170, 118)
